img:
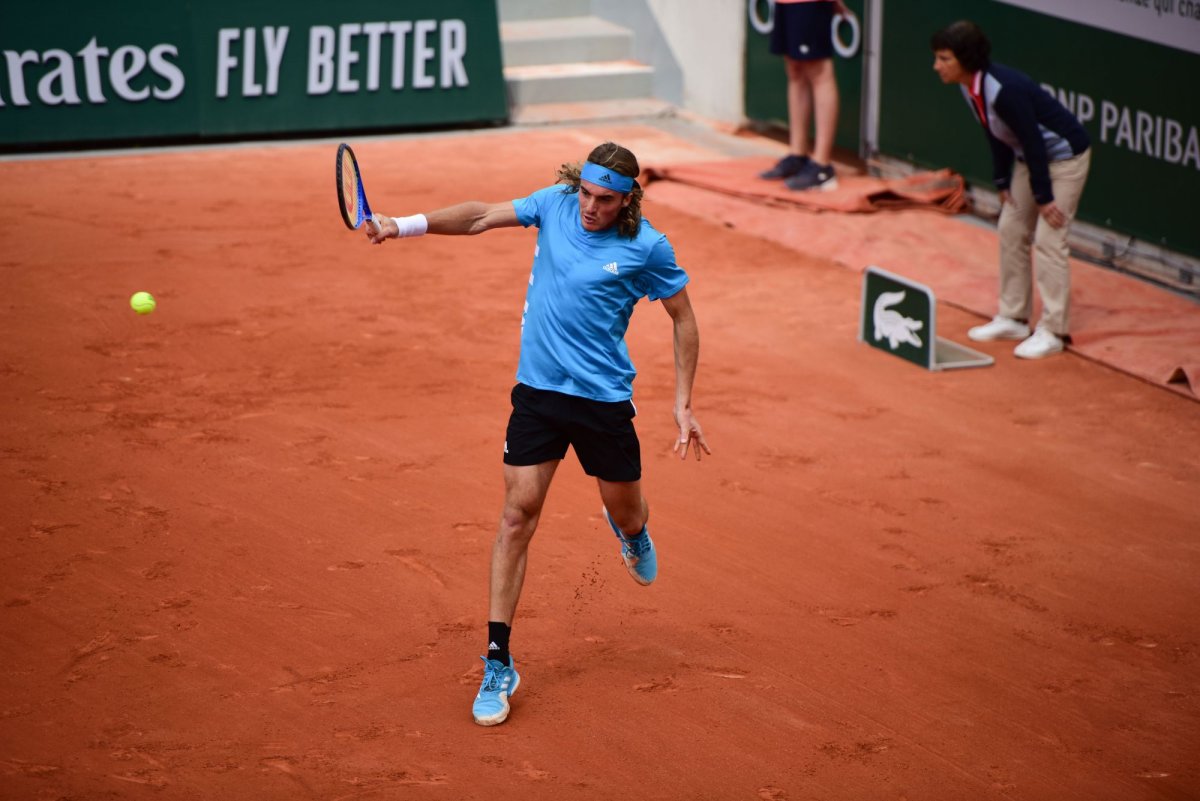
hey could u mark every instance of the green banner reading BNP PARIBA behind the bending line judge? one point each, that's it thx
(1135, 92)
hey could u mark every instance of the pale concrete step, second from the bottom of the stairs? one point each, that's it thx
(568, 83)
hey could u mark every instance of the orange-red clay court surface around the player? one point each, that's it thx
(247, 538)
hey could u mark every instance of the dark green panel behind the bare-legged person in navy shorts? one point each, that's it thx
(766, 83)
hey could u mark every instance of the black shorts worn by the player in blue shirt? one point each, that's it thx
(544, 424)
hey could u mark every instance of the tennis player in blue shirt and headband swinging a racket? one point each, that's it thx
(595, 260)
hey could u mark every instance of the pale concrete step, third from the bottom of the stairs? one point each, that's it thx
(562, 40)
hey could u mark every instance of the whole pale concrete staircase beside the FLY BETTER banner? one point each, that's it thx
(562, 64)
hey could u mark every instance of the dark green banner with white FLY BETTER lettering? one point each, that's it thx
(140, 71)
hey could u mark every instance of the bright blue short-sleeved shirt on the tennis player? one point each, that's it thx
(583, 292)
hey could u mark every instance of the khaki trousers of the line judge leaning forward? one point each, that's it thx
(1023, 228)
